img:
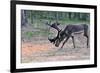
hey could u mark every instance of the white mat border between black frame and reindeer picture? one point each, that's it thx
(20, 65)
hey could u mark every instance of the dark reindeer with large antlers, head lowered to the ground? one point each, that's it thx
(68, 32)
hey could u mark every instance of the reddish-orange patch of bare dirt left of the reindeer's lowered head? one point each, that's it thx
(29, 48)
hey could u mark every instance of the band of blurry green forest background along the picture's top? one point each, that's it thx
(35, 15)
